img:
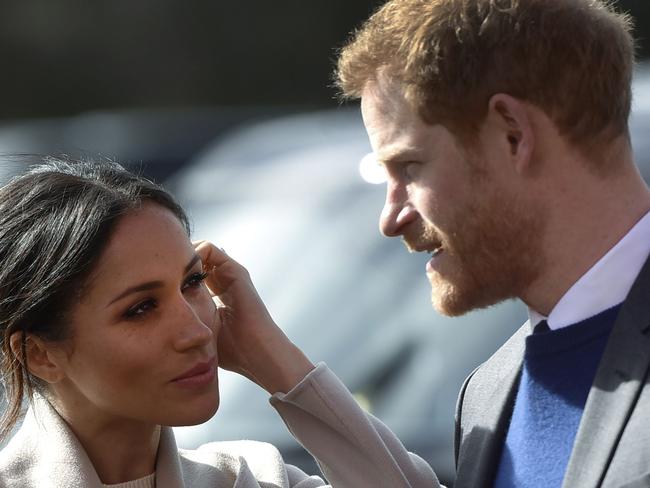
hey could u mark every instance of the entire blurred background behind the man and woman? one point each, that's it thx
(230, 105)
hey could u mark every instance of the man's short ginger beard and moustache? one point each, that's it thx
(490, 251)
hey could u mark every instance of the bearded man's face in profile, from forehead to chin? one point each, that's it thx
(457, 204)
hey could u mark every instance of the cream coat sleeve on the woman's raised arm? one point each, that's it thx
(353, 448)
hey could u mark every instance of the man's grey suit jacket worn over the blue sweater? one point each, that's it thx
(612, 446)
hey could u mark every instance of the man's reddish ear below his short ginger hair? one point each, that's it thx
(511, 118)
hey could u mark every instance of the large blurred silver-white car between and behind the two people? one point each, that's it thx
(292, 200)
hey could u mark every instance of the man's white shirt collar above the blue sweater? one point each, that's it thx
(607, 282)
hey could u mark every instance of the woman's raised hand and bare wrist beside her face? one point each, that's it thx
(249, 341)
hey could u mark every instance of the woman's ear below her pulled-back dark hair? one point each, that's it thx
(43, 359)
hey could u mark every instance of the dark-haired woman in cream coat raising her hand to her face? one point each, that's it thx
(113, 325)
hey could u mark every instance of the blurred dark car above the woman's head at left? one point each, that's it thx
(155, 142)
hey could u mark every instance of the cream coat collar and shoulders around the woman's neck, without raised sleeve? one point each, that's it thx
(46, 453)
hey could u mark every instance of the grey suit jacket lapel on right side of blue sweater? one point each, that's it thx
(616, 388)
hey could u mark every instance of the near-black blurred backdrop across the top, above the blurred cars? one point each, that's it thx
(71, 56)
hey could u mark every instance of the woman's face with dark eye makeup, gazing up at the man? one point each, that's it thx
(143, 343)
